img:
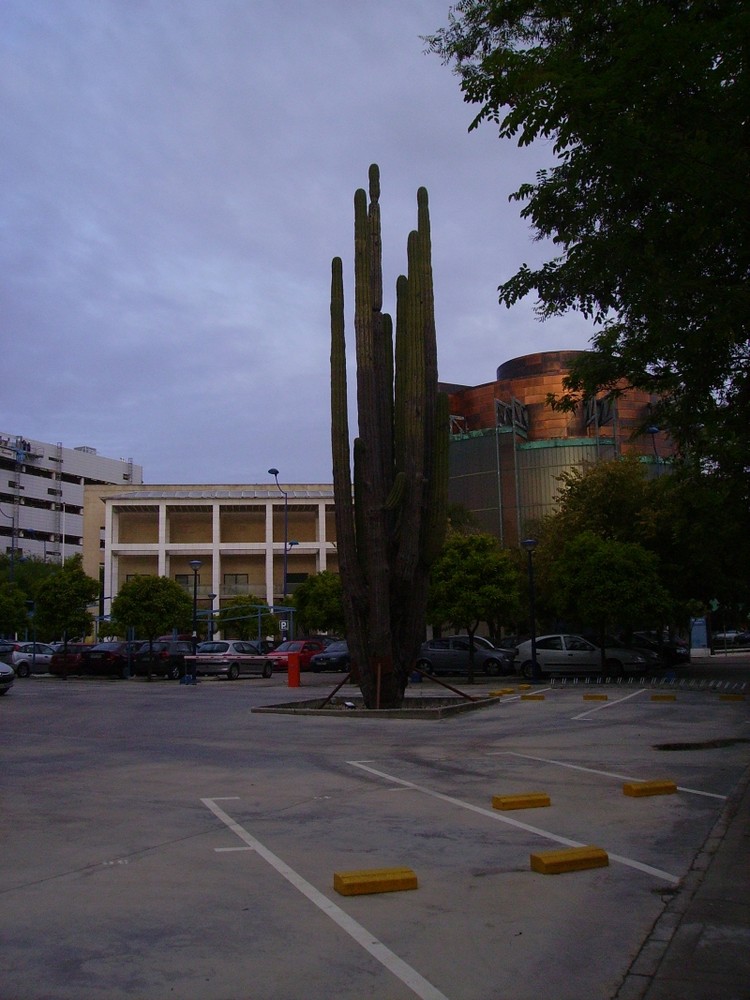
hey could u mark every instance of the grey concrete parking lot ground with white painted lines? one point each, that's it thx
(165, 841)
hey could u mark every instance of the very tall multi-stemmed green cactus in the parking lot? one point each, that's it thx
(391, 506)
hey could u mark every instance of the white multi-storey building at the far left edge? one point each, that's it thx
(42, 495)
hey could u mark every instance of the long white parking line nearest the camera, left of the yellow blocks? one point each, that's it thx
(409, 976)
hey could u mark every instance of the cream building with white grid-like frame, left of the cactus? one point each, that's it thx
(249, 540)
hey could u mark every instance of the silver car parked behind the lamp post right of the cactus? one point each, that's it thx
(572, 654)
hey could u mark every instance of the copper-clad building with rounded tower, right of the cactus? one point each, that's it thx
(509, 447)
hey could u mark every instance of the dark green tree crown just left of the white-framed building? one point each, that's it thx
(63, 601)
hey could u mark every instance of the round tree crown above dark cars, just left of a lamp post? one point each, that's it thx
(151, 606)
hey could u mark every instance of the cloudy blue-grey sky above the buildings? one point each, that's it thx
(176, 177)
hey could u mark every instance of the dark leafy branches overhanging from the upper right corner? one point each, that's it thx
(645, 105)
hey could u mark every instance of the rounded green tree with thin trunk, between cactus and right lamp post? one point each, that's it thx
(474, 580)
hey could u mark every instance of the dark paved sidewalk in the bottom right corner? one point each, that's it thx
(699, 949)
